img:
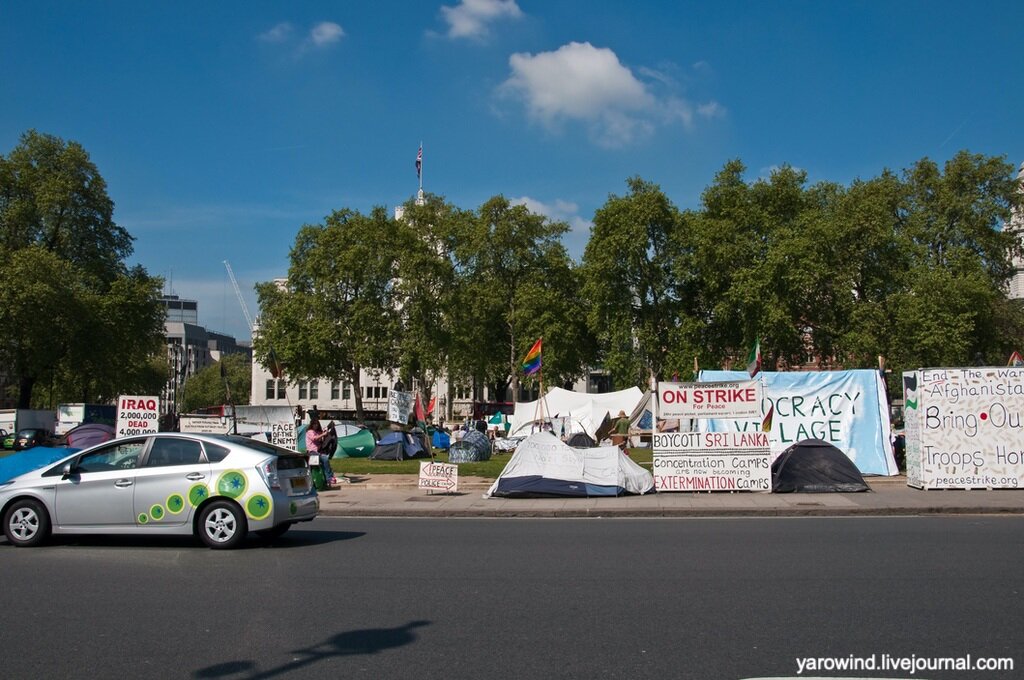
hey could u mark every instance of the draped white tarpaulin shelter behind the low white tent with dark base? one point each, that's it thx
(578, 412)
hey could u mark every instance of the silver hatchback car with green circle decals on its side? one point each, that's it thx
(217, 487)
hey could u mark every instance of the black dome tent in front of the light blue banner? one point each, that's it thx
(814, 466)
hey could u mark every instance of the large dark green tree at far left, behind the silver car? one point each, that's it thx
(57, 222)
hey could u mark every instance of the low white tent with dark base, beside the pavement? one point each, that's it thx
(543, 465)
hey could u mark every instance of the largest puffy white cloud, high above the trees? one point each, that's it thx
(586, 84)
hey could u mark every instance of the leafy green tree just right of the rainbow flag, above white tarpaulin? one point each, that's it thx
(635, 280)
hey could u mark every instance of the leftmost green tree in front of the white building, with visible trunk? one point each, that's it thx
(335, 315)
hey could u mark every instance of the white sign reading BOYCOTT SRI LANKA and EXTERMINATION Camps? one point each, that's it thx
(712, 462)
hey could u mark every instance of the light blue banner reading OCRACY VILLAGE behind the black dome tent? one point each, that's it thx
(847, 409)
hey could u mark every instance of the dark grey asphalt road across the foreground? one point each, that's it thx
(522, 599)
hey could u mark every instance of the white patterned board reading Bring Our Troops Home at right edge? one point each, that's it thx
(965, 429)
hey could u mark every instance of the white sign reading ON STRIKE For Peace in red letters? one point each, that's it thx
(710, 400)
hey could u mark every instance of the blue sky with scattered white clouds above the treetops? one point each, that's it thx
(223, 127)
